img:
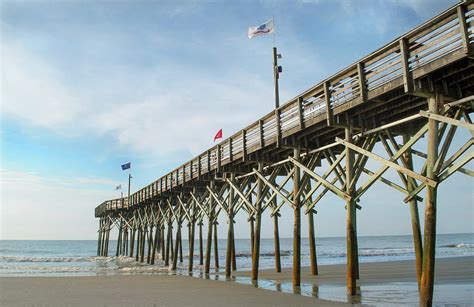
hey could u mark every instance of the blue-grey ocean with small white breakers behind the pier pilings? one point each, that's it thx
(78, 258)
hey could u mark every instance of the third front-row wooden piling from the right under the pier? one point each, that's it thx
(296, 277)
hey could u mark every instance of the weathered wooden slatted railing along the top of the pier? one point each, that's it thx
(440, 41)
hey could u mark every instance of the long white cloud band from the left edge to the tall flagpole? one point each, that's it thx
(182, 119)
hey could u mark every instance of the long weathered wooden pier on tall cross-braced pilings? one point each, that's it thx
(420, 85)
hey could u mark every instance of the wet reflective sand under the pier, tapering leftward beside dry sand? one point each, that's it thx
(454, 286)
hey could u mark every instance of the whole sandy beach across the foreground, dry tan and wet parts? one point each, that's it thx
(380, 283)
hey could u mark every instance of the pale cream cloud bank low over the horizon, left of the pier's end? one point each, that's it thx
(39, 207)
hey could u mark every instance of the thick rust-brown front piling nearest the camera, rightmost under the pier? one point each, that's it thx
(428, 268)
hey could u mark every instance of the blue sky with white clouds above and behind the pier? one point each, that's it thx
(89, 85)
